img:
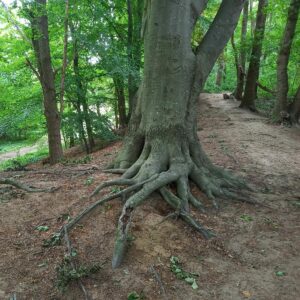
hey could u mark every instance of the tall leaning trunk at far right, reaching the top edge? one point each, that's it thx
(283, 60)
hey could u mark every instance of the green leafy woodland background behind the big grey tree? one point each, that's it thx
(96, 59)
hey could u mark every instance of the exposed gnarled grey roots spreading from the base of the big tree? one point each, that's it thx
(159, 165)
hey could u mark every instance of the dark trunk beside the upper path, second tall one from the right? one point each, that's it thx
(248, 100)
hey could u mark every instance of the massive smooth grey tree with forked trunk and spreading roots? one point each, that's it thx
(162, 145)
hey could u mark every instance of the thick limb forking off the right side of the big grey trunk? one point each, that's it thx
(216, 38)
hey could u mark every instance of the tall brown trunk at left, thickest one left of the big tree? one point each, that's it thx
(42, 52)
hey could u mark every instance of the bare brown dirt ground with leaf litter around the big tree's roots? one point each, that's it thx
(256, 254)
